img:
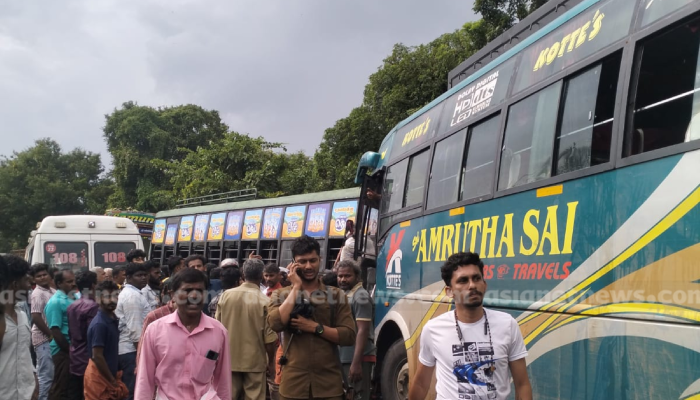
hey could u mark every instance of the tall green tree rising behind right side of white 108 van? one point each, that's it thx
(137, 136)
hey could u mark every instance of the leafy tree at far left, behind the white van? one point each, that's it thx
(43, 181)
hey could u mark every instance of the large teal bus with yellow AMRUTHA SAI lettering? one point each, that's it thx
(567, 154)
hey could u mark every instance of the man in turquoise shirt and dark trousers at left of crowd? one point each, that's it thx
(57, 320)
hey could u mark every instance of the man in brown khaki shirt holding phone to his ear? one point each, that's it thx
(311, 316)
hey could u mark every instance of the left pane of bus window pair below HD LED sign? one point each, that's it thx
(444, 174)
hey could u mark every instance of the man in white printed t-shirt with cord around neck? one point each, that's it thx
(476, 356)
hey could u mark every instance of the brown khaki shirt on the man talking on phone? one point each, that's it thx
(313, 365)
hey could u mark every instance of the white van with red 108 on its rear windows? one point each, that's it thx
(83, 241)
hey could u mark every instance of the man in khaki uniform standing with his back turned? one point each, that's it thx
(243, 311)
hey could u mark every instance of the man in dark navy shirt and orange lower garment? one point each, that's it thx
(102, 376)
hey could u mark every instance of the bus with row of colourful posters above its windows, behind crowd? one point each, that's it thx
(264, 226)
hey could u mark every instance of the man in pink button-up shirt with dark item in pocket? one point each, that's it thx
(185, 354)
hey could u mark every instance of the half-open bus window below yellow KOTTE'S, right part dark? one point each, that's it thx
(585, 129)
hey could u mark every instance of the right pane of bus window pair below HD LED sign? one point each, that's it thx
(479, 166)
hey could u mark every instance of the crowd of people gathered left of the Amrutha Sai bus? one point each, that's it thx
(186, 330)
